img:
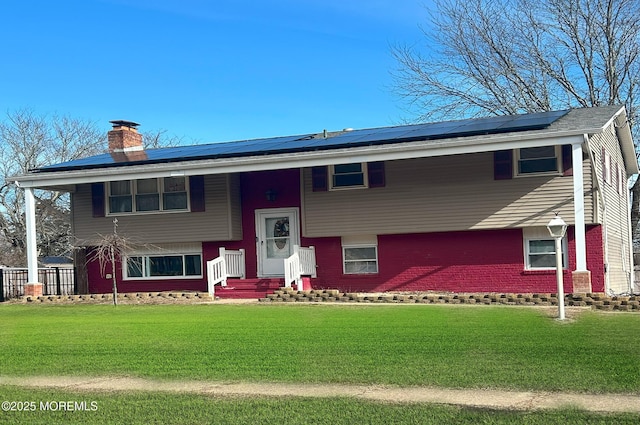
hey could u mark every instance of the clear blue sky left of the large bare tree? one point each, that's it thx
(208, 70)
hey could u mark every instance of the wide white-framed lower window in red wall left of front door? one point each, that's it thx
(159, 263)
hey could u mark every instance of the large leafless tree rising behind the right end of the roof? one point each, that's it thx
(496, 57)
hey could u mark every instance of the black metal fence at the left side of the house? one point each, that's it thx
(55, 281)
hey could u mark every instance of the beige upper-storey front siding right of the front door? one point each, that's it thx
(448, 193)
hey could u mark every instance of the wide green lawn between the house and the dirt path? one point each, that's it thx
(470, 347)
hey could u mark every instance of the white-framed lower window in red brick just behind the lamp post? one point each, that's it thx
(540, 249)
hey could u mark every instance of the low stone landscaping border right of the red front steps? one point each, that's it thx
(597, 301)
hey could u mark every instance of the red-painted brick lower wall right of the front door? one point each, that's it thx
(473, 261)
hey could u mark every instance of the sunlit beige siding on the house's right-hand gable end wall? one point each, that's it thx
(614, 210)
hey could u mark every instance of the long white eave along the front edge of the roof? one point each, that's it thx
(397, 151)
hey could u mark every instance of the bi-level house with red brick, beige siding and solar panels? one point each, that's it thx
(454, 206)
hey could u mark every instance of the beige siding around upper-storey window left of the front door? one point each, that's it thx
(217, 223)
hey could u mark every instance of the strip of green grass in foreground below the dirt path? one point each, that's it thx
(166, 409)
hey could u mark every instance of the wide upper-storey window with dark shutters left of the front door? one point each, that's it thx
(148, 195)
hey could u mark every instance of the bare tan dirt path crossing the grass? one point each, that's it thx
(492, 399)
